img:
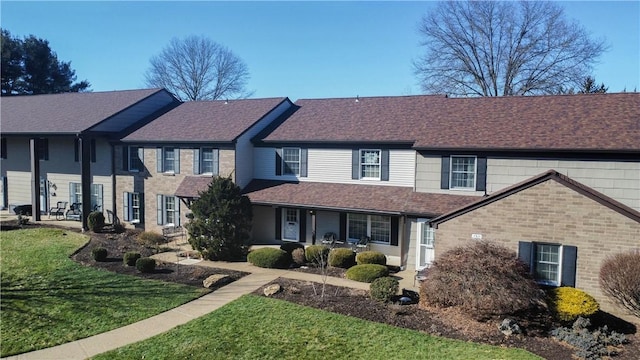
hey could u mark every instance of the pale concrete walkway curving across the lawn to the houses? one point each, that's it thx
(97, 344)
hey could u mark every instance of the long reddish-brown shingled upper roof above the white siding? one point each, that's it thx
(588, 122)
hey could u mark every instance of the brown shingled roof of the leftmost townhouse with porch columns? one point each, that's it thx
(68, 113)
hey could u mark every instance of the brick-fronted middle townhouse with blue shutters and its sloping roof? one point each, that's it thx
(161, 167)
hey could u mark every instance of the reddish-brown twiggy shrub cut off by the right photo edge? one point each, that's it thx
(620, 281)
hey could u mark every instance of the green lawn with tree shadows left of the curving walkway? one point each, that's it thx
(47, 299)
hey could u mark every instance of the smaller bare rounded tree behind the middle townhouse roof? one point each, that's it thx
(197, 68)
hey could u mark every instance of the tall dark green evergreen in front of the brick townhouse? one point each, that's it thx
(221, 223)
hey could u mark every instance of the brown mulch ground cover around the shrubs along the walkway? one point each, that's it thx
(448, 322)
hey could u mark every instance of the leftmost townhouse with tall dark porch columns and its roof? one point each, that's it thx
(56, 148)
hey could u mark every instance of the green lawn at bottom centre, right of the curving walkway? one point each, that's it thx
(255, 327)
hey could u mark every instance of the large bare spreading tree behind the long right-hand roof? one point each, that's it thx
(495, 48)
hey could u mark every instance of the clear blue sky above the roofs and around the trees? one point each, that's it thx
(294, 49)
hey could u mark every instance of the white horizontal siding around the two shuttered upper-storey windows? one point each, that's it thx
(334, 166)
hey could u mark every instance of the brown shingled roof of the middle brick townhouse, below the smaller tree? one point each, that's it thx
(211, 121)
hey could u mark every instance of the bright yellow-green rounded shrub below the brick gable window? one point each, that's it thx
(568, 303)
